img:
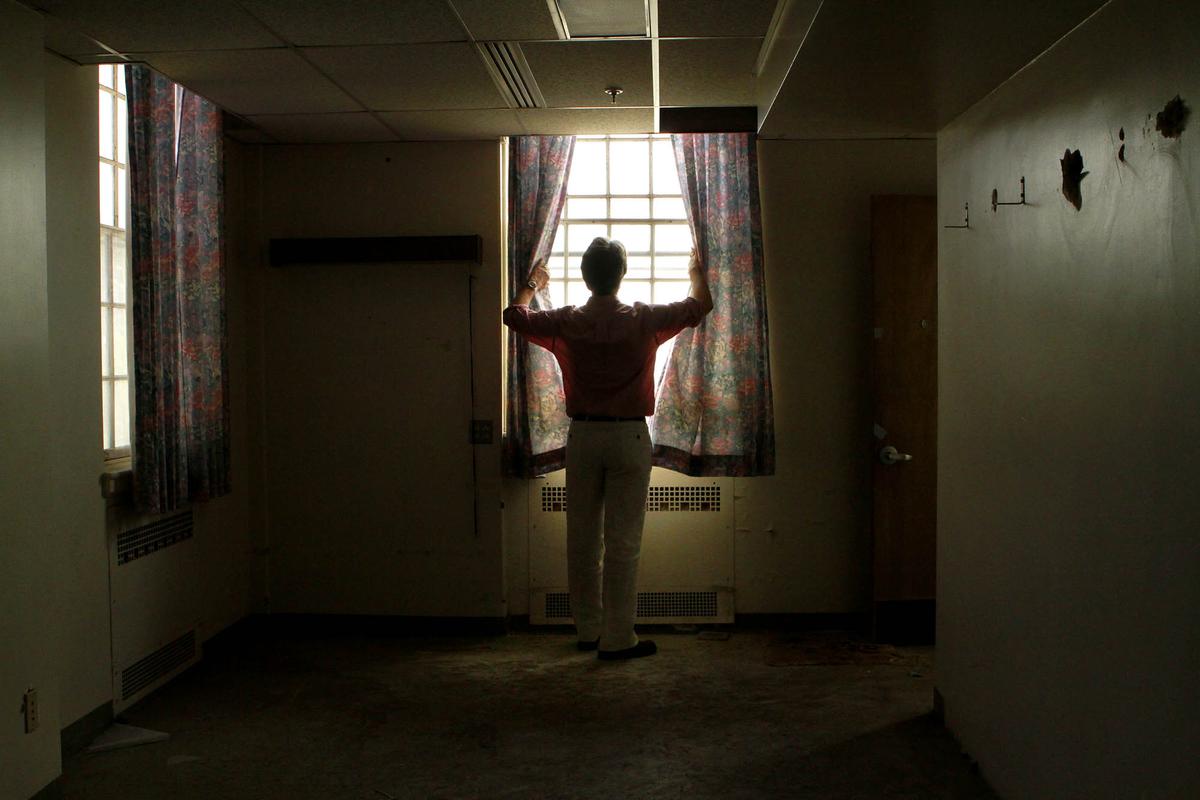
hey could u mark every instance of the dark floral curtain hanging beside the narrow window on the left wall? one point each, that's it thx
(181, 372)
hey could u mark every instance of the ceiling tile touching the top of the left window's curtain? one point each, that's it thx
(254, 82)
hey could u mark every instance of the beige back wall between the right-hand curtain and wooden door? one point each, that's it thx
(803, 536)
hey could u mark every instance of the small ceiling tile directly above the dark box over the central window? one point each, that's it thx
(707, 71)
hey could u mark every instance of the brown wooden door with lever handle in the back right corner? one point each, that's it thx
(904, 263)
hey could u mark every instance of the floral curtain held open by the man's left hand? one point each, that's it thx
(537, 408)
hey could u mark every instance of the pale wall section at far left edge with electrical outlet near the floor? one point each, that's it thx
(28, 549)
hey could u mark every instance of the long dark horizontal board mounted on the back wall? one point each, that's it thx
(376, 250)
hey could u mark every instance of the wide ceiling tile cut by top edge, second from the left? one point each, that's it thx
(359, 22)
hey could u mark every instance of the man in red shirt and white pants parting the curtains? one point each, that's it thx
(607, 352)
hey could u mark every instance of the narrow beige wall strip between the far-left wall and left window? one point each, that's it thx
(77, 515)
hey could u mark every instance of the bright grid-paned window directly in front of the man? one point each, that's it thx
(625, 188)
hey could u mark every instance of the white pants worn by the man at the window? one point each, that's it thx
(608, 474)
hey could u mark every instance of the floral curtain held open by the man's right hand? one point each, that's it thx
(715, 414)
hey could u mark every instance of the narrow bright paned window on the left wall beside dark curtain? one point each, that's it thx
(115, 263)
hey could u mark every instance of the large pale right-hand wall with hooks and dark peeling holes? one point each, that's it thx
(1069, 573)
